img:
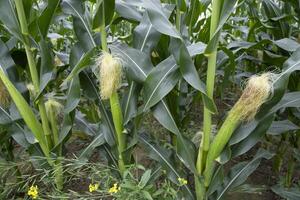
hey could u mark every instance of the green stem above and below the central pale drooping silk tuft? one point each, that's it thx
(115, 105)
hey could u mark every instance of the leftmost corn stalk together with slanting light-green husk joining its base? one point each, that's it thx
(45, 140)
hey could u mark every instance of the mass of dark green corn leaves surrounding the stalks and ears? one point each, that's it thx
(165, 66)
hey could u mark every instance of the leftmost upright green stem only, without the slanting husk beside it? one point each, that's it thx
(33, 71)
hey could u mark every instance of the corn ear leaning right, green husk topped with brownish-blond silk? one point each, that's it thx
(257, 91)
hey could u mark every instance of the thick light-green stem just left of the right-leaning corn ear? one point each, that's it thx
(210, 81)
